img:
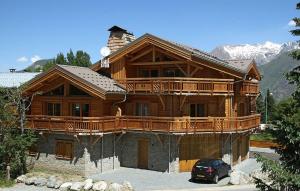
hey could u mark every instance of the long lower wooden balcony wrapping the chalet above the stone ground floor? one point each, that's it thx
(90, 125)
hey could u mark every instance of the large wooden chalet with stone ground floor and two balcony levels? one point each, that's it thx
(157, 105)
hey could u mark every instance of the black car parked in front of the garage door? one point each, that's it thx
(210, 169)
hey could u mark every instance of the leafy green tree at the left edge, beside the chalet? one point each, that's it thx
(14, 143)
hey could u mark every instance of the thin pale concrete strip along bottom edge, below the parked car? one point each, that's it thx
(220, 188)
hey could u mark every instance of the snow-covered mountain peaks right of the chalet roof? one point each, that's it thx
(262, 53)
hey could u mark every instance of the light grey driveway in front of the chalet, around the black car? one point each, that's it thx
(153, 180)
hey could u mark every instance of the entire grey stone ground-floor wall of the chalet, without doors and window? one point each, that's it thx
(118, 150)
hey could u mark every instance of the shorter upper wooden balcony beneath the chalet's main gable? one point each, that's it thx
(166, 85)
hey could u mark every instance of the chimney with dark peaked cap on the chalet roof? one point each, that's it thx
(118, 38)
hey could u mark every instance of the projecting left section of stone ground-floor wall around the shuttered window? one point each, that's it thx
(87, 158)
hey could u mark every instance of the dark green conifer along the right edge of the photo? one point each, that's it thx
(285, 174)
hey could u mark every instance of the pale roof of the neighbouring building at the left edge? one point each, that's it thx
(15, 79)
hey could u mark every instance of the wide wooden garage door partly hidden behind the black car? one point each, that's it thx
(193, 148)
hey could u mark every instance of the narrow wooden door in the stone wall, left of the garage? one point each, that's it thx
(143, 153)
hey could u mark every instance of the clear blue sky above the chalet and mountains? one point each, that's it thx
(34, 29)
